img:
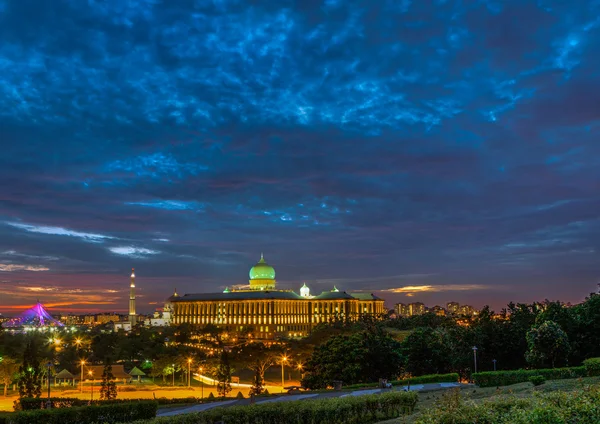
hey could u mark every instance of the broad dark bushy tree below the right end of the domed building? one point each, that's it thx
(362, 357)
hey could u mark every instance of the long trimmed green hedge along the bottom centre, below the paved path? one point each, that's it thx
(348, 410)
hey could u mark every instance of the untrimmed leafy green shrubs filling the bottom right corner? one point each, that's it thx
(581, 406)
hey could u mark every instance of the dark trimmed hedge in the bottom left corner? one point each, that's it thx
(106, 414)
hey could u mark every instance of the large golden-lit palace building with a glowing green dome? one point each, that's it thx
(268, 312)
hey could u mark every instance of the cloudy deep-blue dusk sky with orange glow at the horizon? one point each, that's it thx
(426, 151)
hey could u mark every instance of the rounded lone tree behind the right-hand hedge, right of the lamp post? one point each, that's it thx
(548, 345)
